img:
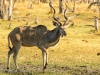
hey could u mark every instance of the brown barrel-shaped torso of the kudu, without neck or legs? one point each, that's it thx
(28, 36)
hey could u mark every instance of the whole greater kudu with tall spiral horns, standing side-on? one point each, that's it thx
(35, 36)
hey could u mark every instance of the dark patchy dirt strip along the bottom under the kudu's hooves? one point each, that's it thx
(30, 69)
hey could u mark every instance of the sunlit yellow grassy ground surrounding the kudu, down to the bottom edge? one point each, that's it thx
(75, 54)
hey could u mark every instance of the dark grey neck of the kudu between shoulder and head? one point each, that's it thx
(53, 36)
